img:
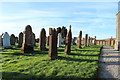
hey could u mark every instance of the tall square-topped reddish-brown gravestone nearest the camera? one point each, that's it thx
(52, 53)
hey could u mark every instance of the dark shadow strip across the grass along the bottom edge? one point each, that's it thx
(28, 76)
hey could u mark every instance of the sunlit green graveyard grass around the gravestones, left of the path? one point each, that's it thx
(82, 63)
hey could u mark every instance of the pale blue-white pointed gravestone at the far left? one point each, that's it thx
(6, 41)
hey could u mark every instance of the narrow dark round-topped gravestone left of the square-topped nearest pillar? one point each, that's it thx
(42, 40)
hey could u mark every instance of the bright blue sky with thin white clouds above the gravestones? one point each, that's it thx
(93, 18)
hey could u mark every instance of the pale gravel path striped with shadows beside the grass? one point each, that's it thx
(109, 65)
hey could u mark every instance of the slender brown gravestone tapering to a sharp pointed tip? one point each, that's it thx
(68, 42)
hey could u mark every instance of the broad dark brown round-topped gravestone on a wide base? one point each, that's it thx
(27, 45)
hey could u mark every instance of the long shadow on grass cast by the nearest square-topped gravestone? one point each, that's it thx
(74, 59)
